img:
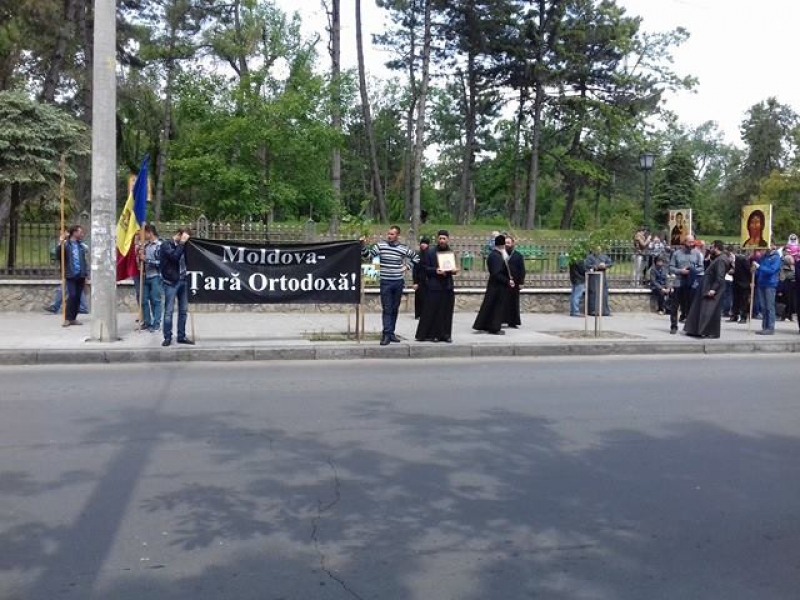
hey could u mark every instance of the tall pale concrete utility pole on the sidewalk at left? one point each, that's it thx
(104, 169)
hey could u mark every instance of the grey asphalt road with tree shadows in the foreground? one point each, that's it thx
(441, 480)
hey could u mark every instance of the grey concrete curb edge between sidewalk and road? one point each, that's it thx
(11, 357)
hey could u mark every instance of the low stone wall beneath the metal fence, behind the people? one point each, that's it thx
(33, 296)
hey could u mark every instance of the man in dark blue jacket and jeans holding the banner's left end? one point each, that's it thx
(173, 276)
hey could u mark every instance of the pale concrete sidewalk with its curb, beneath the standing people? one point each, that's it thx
(28, 338)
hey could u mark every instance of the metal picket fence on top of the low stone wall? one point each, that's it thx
(30, 251)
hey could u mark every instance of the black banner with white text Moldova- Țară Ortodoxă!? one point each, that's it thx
(241, 273)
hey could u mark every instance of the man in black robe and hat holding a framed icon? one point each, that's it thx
(436, 321)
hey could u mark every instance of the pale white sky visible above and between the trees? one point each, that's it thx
(740, 51)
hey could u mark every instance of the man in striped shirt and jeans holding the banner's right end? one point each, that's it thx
(394, 258)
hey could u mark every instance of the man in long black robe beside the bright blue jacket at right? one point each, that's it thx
(705, 315)
